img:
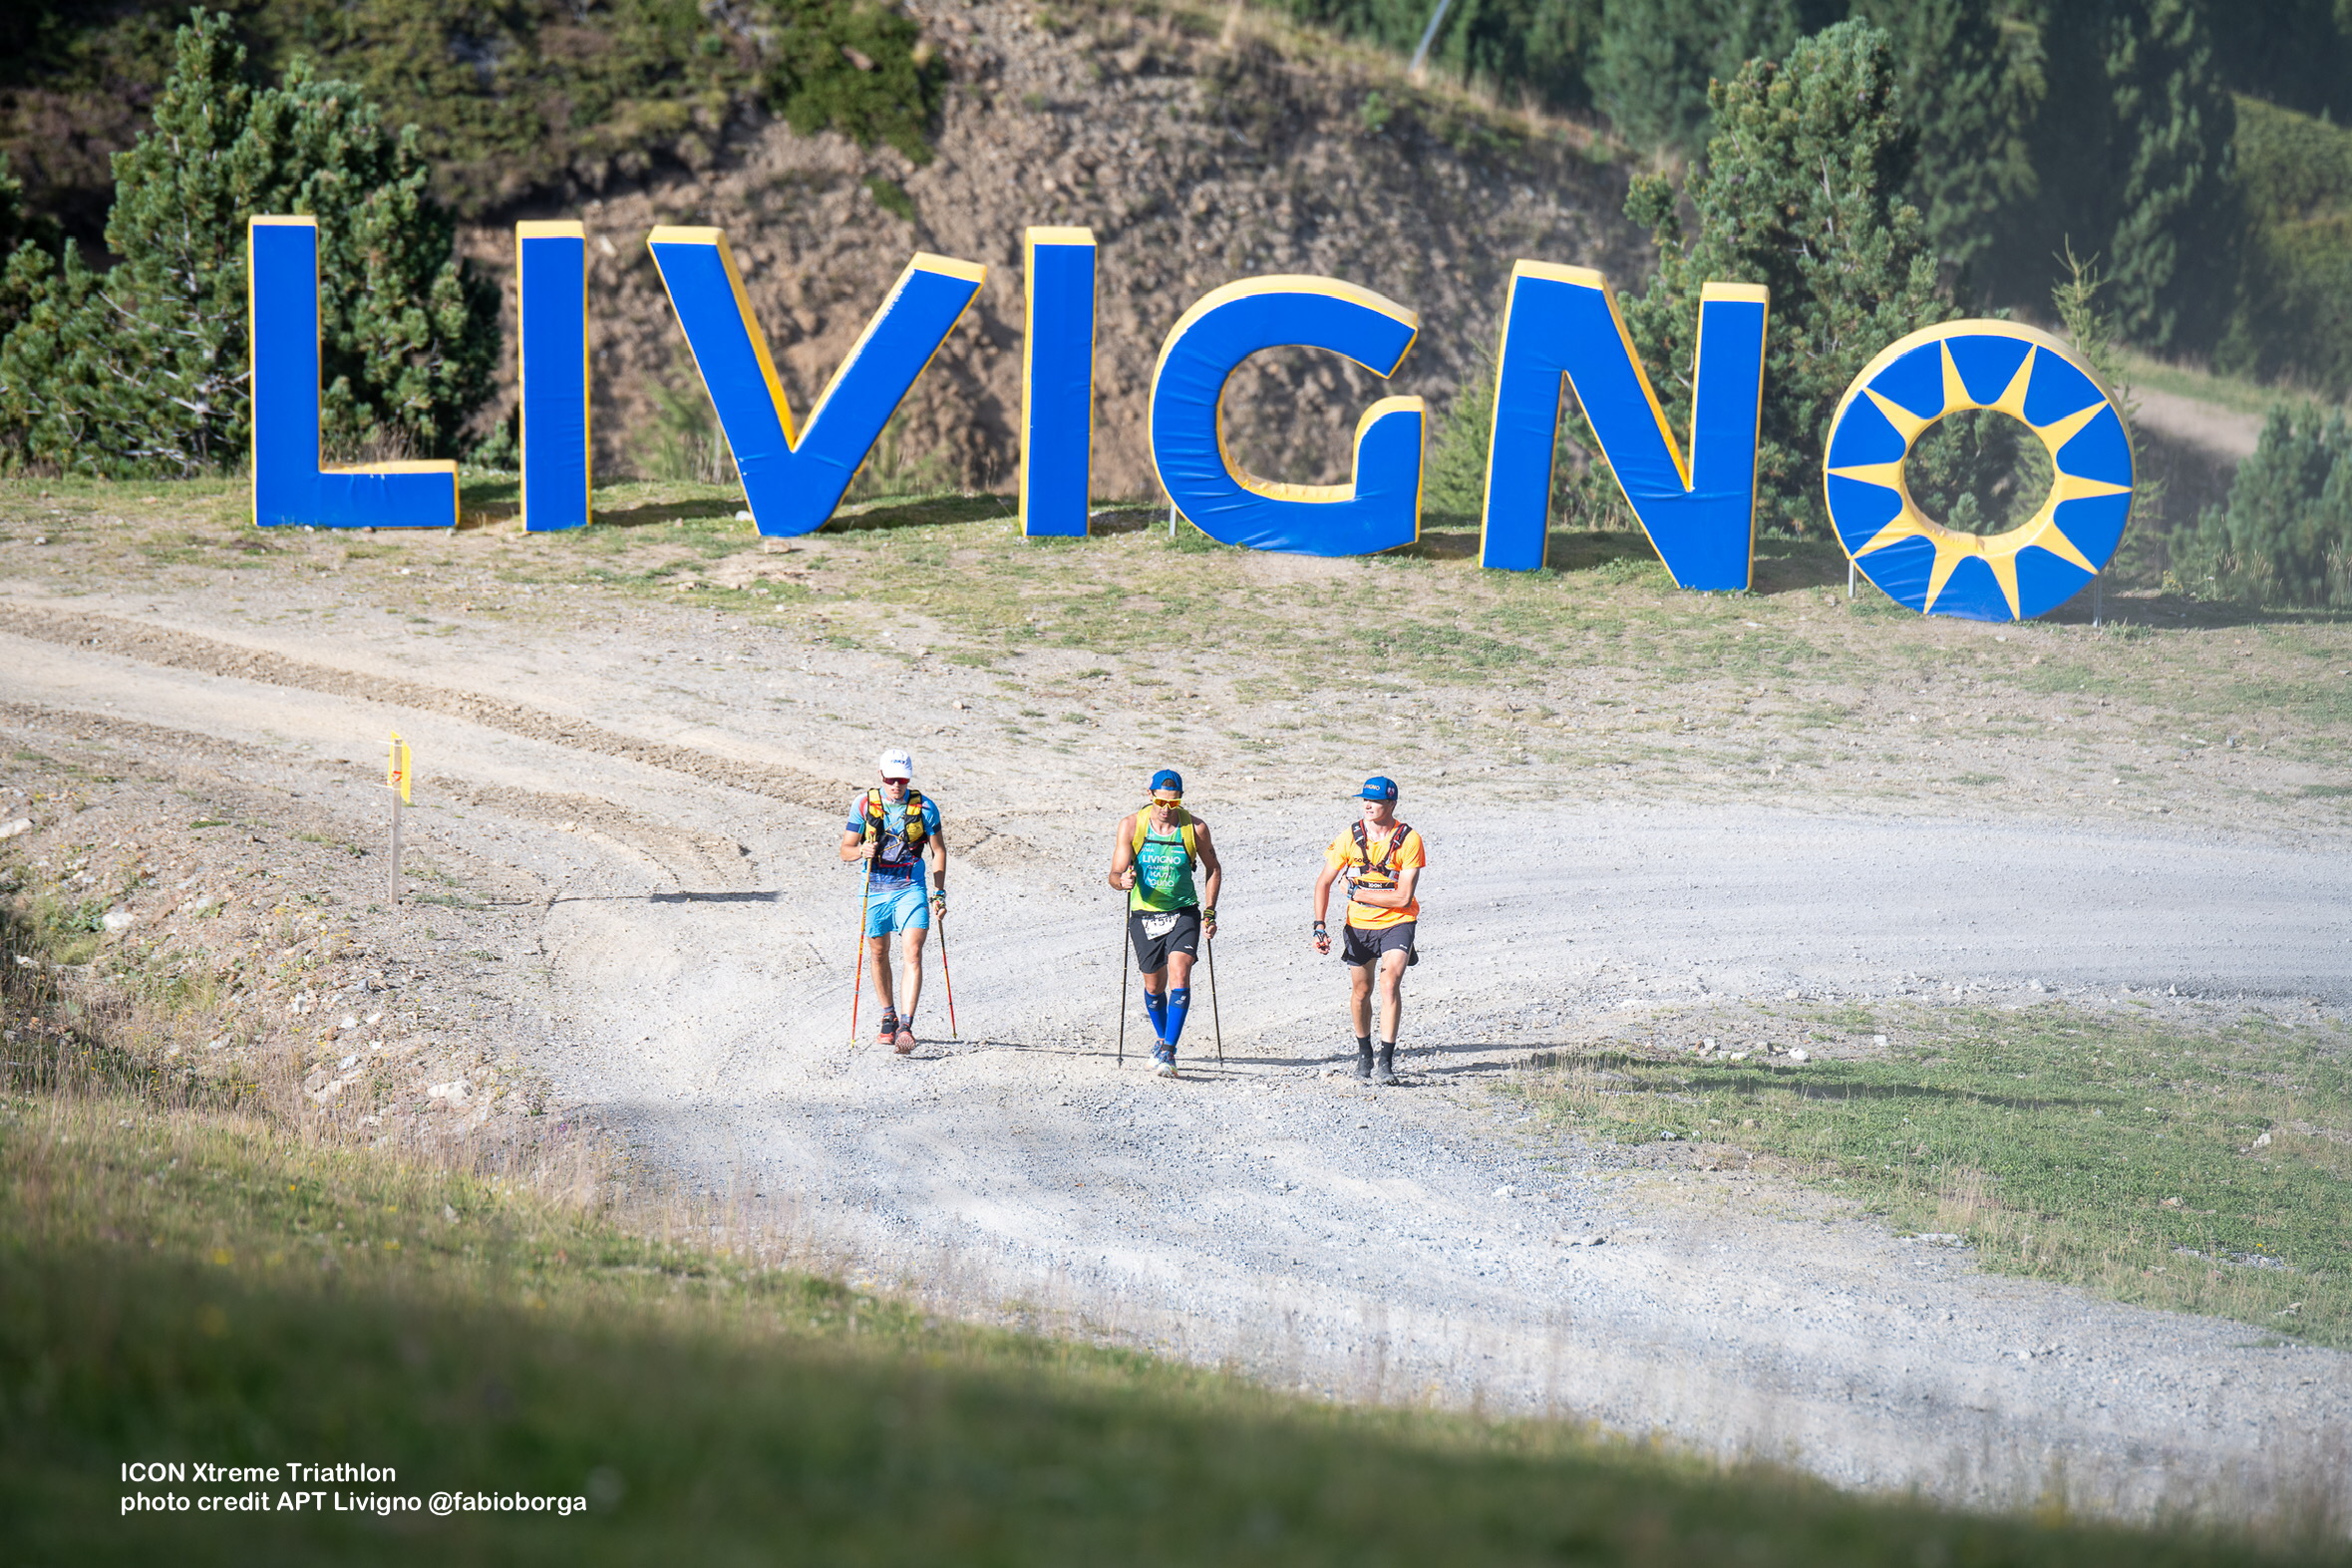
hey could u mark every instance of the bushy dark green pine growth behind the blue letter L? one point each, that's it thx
(145, 368)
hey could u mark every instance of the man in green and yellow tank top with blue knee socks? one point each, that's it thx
(1154, 859)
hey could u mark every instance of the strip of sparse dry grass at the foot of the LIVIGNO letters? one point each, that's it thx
(1601, 641)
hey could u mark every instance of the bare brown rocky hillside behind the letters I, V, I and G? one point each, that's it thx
(1196, 161)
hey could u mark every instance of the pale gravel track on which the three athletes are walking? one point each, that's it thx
(1267, 1214)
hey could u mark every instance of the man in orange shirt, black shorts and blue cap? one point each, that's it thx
(1382, 862)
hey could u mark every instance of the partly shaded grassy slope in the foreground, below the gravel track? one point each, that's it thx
(180, 1285)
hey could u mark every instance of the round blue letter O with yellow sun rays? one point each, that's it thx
(1979, 577)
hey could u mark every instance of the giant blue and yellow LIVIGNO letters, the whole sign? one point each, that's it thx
(1561, 326)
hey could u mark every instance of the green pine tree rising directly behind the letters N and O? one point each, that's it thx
(1800, 194)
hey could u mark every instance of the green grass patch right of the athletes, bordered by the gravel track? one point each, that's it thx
(2174, 1167)
